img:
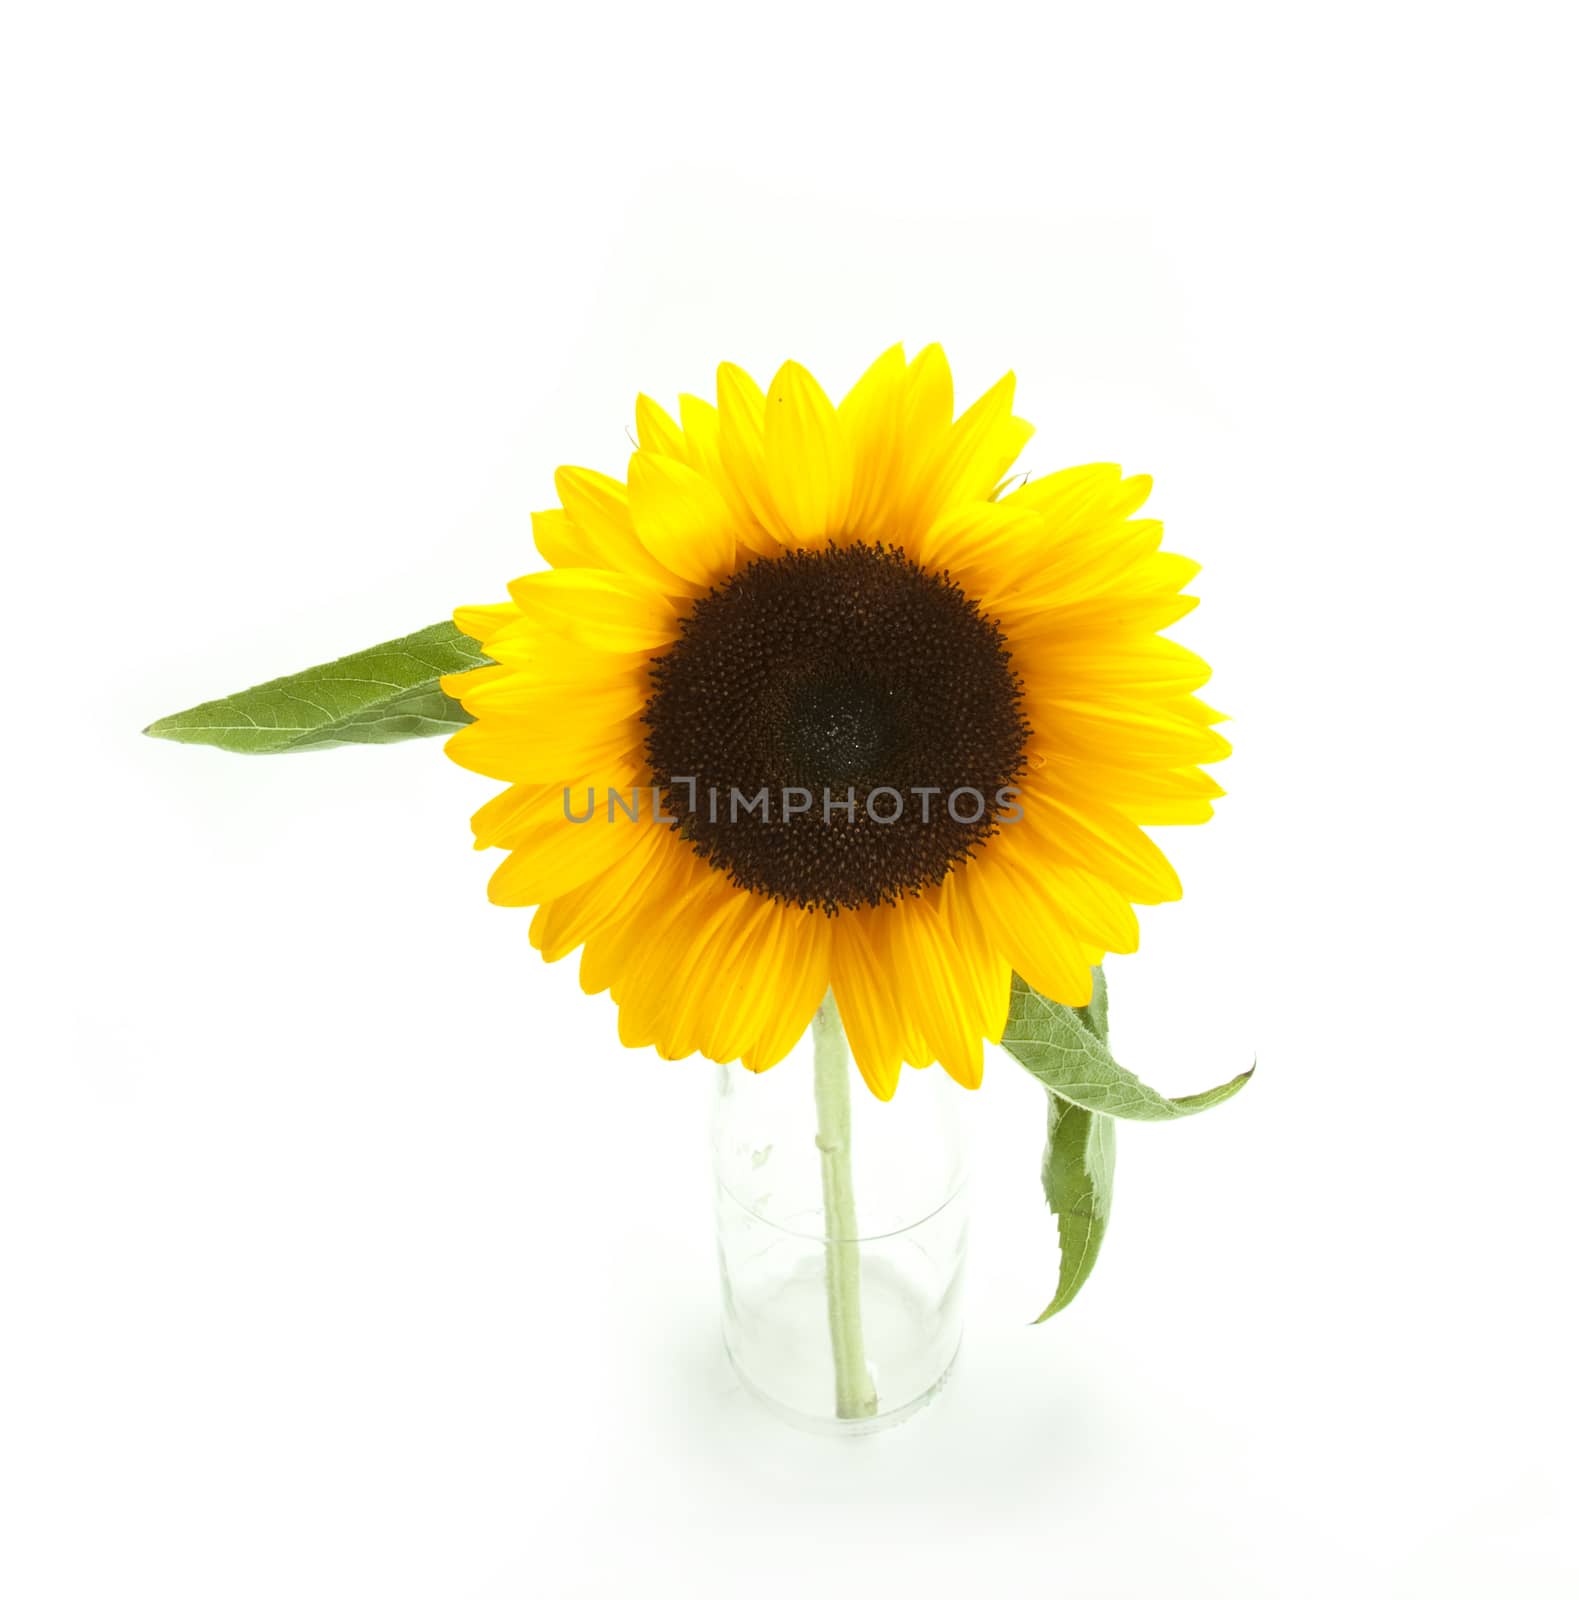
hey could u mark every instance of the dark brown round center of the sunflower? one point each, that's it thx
(836, 729)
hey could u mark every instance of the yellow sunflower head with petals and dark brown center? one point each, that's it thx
(815, 700)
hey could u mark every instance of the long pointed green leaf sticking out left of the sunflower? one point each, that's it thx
(375, 697)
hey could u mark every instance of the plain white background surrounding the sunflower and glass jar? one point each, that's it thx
(343, 1252)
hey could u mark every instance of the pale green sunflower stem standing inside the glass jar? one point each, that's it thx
(853, 1391)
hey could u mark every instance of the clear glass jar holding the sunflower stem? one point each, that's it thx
(842, 1233)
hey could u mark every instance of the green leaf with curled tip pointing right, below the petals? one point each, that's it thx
(1073, 1060)
